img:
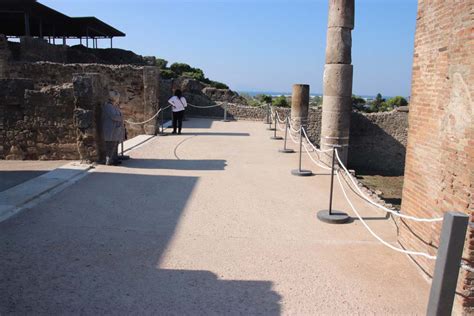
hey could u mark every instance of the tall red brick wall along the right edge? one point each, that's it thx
(439, 170)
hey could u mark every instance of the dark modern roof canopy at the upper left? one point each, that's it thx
(31, 18)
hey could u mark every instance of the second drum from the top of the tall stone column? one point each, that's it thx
(338, 46)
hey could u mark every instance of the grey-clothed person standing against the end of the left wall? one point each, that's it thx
(112, 128)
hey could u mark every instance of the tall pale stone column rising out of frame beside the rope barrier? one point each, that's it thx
(337, 79)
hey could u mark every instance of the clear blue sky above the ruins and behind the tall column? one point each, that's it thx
(265, 45)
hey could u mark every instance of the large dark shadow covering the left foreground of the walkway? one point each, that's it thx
(95, 249)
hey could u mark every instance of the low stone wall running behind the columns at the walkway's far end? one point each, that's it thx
(377, 140)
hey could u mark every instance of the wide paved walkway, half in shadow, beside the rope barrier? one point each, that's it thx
(208, 222)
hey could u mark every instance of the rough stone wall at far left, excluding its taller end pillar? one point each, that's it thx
(36, 124)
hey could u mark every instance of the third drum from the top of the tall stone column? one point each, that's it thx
(337, 80)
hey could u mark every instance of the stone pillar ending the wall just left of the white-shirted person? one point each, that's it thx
(151, 80)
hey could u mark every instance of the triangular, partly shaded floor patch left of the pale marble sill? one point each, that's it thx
(14, 172)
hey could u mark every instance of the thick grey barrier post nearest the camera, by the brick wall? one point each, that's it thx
(448, 259)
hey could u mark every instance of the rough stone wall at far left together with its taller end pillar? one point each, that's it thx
(56, 122)
